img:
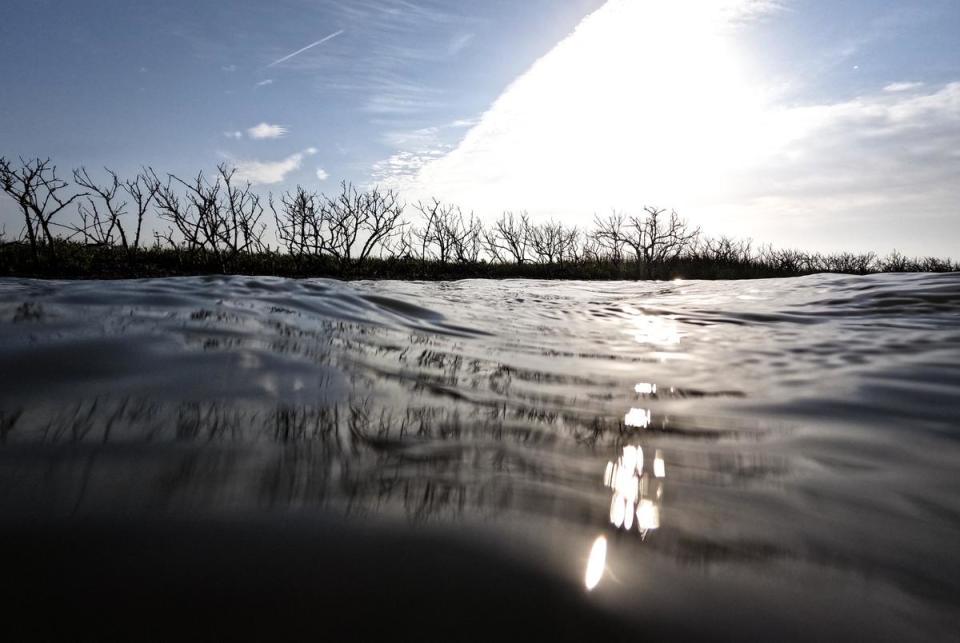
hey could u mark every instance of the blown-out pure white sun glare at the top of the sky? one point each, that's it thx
(645, 100)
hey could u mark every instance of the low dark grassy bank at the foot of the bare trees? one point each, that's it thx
(72, 260)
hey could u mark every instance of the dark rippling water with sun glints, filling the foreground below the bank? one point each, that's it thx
(774, 459)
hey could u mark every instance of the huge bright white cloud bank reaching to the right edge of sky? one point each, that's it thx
(653, 103)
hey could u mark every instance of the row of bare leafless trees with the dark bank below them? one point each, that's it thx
(87, 227)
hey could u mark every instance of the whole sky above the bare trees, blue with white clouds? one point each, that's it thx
(799, 122)
